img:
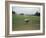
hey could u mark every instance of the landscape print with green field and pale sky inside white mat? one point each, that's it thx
(25, 18)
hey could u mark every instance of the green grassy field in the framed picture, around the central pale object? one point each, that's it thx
(19, 24)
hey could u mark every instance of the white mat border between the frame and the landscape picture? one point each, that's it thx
(27, 31)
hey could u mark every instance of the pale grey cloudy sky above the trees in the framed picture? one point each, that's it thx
(25, 10)
